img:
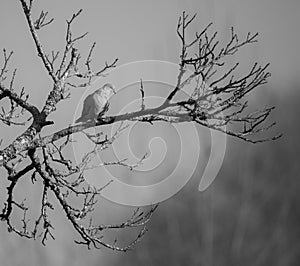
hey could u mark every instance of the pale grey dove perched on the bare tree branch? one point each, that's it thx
(96, 103)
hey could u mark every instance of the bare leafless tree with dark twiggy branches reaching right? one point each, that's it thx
(42, 153)
